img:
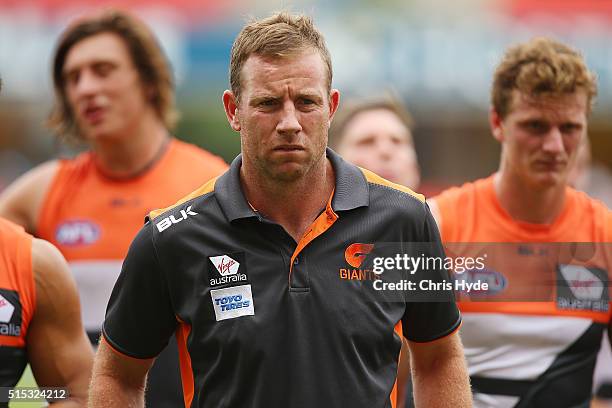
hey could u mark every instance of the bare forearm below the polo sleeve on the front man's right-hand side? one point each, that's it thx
(439, 374)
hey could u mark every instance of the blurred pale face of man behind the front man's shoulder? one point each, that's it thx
(379, 141)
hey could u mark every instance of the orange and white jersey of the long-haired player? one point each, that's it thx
(93, 219)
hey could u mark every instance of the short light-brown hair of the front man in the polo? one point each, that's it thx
(279, 35)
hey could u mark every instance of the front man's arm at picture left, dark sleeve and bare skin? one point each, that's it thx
(139, 321)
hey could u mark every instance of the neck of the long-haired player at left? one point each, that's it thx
(132, 154)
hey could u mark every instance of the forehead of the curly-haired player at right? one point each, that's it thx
(567, 106)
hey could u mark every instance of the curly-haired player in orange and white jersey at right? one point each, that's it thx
(537, 354)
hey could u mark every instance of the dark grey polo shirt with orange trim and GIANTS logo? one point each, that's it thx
(264, 321)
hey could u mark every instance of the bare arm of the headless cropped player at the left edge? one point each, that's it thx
(58, 349)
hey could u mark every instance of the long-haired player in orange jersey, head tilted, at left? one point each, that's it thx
(115, 92)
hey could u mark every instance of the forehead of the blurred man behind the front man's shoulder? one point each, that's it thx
(376, 122)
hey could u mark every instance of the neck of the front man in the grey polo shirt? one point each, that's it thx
(294, 205)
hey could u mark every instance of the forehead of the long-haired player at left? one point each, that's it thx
(102, 47)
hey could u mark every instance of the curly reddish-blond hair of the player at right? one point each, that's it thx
(541, 67)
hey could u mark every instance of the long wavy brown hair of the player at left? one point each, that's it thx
(147, 56)
